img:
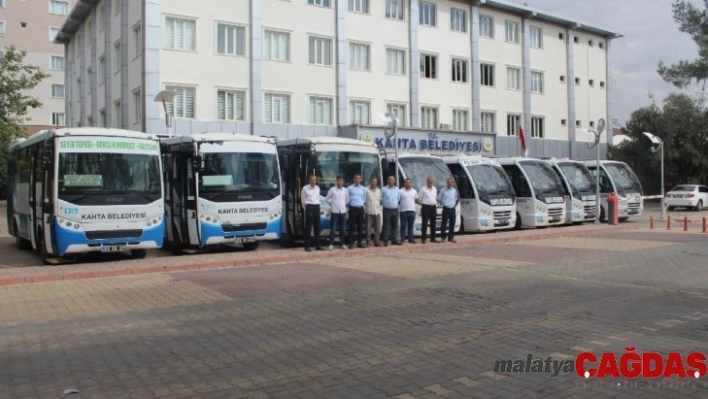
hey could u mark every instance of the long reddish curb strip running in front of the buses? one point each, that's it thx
(475, 241)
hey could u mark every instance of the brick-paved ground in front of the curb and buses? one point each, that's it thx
(407, 325)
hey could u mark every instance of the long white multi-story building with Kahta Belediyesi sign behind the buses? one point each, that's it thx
(460, 75)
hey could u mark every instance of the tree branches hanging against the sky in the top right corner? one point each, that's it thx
(694, 21)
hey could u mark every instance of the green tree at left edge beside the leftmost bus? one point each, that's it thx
(16, 80)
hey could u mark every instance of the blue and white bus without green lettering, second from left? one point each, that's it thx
(221, 188)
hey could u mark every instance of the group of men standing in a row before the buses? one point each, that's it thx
(365, 206)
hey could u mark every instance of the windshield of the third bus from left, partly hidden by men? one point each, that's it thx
(331, 164)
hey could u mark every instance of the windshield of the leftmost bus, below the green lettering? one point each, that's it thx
(82, 175)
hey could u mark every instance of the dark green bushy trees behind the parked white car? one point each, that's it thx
(683, 126)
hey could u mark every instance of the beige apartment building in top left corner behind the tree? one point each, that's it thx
(32, 26)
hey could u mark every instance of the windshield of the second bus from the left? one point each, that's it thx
(238, 172)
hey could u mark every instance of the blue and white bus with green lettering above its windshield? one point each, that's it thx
(80, 190)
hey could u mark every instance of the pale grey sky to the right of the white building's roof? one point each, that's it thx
(650, 35)
